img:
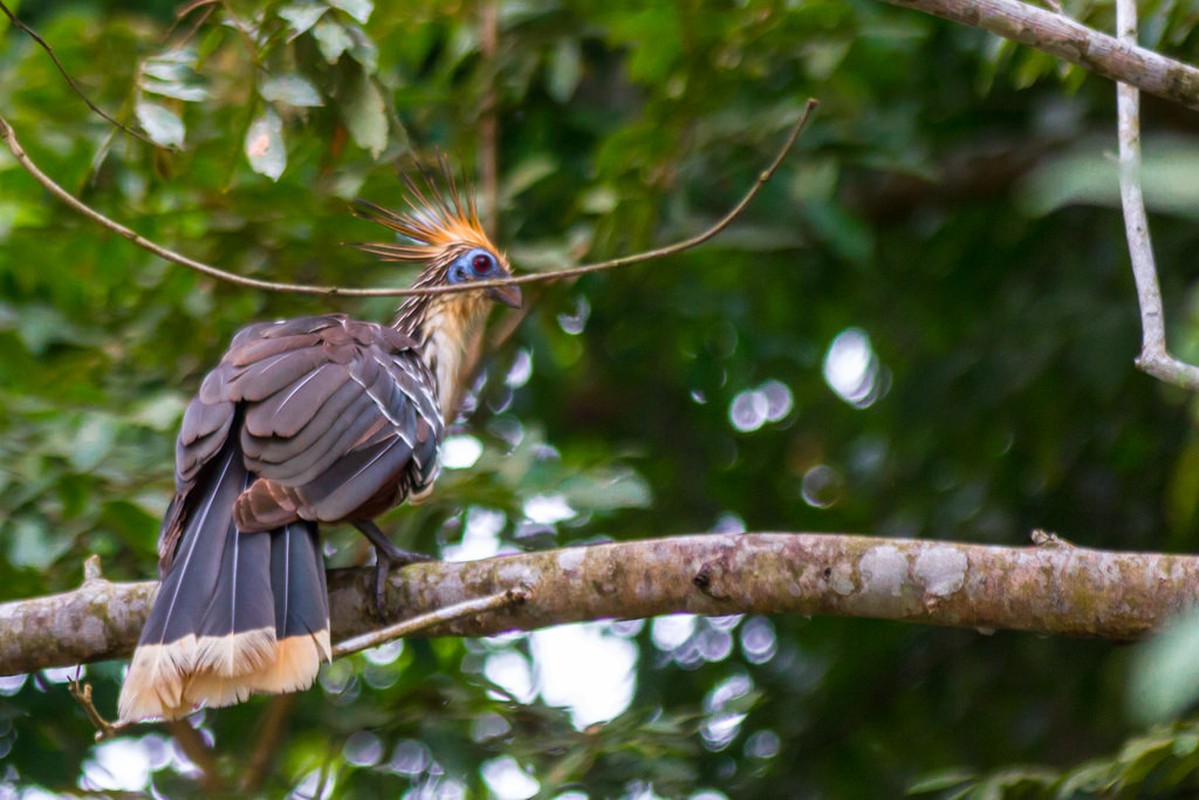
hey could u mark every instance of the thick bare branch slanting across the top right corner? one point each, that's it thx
(1065, 39)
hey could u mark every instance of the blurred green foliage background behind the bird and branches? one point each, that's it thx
(925, 327)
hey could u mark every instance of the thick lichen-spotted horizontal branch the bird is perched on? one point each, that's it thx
(1053, 588)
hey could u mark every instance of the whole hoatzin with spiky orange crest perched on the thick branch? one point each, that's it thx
(305, 422)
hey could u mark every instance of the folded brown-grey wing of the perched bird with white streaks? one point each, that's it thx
(334, 418)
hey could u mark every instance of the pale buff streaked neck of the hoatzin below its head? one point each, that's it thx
(444, 328)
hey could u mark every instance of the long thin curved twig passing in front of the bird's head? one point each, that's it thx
(10, 140)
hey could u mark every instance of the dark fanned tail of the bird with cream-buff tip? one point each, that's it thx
(237, 613)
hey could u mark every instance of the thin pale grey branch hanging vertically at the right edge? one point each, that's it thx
(1154, 358)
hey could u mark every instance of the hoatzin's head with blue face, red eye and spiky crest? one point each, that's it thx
(445, 237)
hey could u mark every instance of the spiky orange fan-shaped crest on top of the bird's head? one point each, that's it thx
(442, 220)
